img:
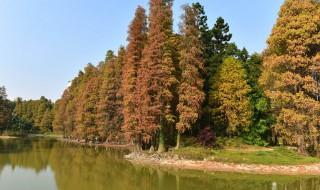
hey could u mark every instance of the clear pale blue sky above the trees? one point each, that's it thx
(44, 43)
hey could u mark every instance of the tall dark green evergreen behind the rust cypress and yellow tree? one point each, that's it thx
(215, 42)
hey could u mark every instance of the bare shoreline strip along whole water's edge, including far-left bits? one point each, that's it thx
(173, 161)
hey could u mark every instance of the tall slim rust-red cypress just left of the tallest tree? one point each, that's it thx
(136, 41)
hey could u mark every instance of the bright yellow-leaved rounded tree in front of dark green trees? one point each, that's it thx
(229, 92)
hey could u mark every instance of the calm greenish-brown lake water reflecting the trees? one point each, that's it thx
(41, 164)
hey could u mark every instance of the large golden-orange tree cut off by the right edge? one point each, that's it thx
(291, 73)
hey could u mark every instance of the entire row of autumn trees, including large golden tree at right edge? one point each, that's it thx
(164, 85)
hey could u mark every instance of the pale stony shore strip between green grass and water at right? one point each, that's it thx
(165, 161)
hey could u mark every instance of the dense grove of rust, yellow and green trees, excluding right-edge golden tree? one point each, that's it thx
(163, 85)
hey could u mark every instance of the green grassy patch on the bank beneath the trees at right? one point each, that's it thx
(237, 152)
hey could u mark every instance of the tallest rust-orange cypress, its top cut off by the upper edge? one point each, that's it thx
(156, 75)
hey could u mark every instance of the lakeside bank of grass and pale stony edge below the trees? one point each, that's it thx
(276, 160)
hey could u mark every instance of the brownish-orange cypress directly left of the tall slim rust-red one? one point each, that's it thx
(111, 98)
